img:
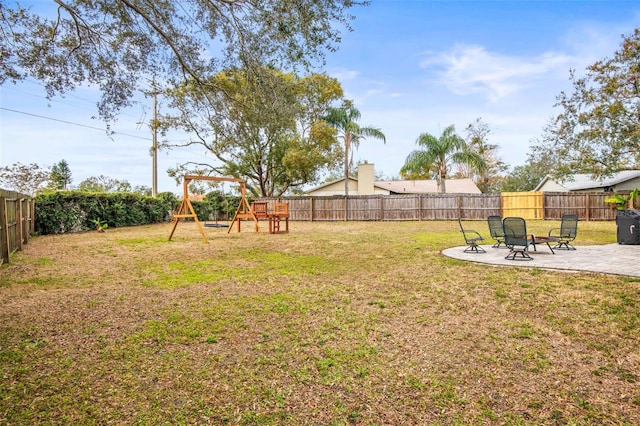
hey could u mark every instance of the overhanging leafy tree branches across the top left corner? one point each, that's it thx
(119, 45)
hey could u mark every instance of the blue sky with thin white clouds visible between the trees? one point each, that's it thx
(411, 66)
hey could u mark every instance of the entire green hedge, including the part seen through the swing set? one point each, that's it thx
(75, 211)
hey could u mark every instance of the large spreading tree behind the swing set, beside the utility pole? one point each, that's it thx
(262, 127)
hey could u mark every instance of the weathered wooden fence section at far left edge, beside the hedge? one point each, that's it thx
(16, 222)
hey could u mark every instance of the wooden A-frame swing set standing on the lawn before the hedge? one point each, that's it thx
(186, 210)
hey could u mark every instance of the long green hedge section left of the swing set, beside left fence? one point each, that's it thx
(73, 211)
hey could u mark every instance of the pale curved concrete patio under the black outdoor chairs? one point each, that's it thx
(615, 259)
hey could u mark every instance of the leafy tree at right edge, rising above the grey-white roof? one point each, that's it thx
(598, 128)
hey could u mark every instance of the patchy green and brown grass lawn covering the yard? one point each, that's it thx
(332, 324)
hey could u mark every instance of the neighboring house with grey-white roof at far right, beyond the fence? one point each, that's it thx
(626, 180)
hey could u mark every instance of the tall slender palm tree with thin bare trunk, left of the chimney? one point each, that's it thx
(345, 121)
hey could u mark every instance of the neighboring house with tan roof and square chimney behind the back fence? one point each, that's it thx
(365, 185)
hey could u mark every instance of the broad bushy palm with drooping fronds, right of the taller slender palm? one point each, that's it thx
(439, 154)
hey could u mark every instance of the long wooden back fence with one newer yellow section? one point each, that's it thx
(529, 205)
